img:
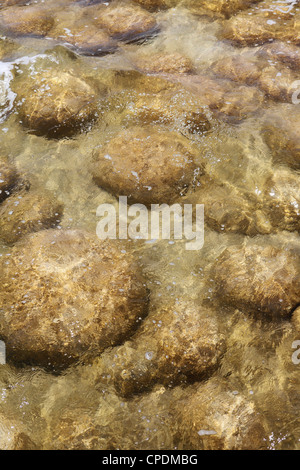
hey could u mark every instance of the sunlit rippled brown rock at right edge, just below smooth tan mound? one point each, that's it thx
(282, 199)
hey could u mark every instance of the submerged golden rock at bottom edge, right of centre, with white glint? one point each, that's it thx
(212, 417)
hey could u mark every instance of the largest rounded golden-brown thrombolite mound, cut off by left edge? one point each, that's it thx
(64, 294)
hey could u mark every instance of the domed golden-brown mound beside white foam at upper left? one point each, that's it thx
(57, 104)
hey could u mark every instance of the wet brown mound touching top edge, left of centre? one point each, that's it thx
(124, 22)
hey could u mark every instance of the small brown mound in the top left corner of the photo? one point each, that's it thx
(27, 20)
